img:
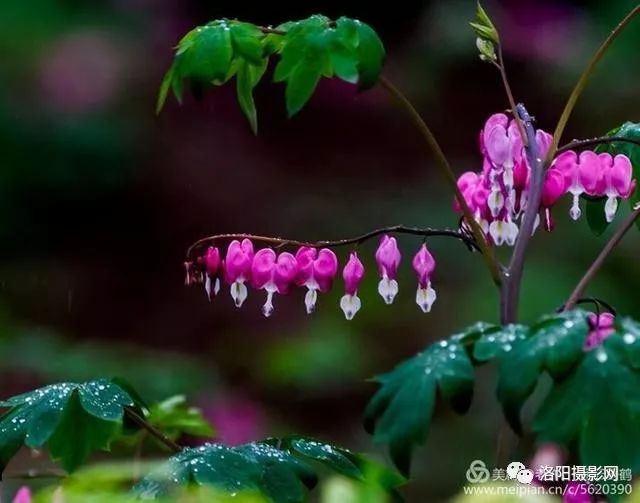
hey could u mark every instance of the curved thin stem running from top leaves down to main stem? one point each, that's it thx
(445, 168)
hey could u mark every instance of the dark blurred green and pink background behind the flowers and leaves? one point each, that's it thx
(99, 199)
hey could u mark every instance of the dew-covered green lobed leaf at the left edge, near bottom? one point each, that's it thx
(74, 419)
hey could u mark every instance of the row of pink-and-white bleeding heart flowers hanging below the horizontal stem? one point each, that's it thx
(310, 268)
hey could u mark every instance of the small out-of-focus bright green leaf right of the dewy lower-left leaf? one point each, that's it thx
(175, 418)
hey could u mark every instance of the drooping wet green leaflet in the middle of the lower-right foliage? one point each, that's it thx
(554, 345)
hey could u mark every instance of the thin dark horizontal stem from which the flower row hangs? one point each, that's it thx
(397, 229)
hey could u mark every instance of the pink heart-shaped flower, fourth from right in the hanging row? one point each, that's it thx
(316, 270)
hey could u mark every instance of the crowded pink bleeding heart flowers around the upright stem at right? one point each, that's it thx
(498, 195)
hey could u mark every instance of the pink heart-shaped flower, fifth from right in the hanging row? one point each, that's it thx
(272, 273)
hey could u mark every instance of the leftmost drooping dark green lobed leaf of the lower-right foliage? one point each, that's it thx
(399, 414)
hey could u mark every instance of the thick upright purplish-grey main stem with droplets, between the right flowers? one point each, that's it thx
(513, 276)
